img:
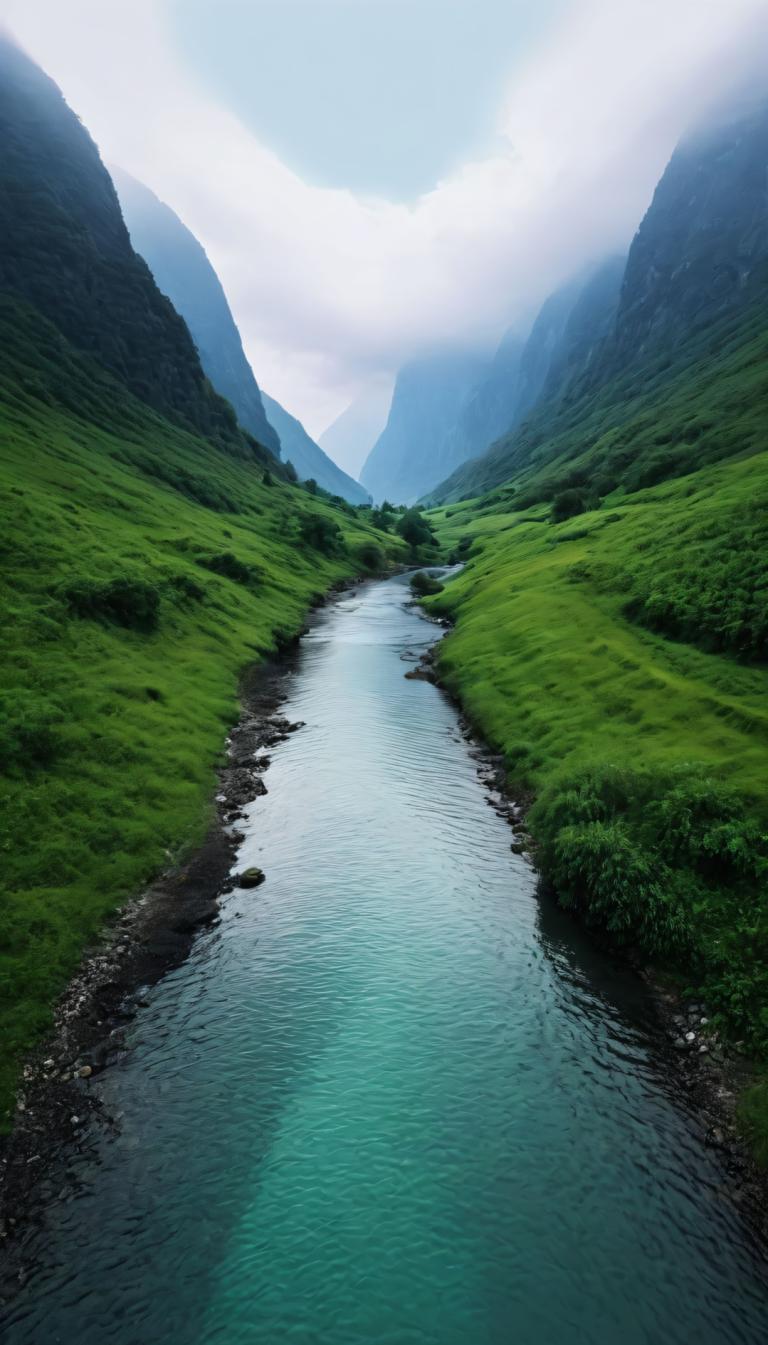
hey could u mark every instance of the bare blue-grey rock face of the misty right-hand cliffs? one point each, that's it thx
(699, 259)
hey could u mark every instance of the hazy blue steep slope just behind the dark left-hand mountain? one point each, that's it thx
(184, 272)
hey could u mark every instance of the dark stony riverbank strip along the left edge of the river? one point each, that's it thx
(150, 937)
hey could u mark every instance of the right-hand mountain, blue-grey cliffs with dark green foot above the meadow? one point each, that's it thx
(695, 286)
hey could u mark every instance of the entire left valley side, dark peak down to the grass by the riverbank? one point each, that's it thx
(143, 568)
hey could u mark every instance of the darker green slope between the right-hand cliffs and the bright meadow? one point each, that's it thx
(660, 419)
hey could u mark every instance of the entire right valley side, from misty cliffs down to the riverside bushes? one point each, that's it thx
(611, 633)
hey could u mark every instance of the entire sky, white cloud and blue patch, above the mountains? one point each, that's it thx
(375, 180)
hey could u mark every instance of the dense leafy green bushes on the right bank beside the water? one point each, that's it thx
(675, 866)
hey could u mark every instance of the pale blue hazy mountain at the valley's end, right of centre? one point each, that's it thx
(414, 451)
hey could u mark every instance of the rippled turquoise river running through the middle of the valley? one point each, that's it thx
(392, 1098)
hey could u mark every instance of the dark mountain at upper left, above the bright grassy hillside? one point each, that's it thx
(65, 251)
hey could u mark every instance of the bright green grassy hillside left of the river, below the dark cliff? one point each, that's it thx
(142, 571)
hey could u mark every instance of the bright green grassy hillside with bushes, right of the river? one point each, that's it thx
(617, 660)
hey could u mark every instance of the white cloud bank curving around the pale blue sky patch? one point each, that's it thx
(329, 289)
